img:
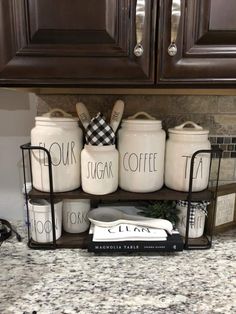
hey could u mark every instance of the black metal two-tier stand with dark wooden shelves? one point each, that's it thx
(70, 240)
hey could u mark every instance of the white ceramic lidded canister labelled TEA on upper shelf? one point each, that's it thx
(182, 143)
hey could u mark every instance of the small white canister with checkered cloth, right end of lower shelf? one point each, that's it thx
(197, 217)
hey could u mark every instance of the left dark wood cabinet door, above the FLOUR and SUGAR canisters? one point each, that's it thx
(76, 42)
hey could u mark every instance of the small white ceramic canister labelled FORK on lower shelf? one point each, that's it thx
(74, 214)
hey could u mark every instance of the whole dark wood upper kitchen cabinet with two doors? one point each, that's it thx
(91, 43)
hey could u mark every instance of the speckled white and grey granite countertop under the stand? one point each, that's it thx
(75, 281)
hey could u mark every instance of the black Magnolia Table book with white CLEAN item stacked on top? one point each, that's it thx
(132, 238)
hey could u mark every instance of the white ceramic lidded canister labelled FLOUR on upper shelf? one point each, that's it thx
(62, 137)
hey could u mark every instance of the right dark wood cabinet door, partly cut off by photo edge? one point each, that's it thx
(206, 43)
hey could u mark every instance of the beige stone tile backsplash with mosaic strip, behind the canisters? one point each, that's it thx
(216, 113)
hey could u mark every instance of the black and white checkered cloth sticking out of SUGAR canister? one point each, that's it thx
(98, 132)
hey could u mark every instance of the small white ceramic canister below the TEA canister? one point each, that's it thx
(196, 230)
